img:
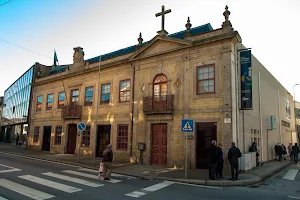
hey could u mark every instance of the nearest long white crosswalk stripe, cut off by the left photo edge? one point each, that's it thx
(24, 190)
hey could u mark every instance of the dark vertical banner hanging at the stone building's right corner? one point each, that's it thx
(246, 80)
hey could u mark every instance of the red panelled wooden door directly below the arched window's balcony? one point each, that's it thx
(159, 144)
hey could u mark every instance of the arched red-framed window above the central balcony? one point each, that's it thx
(160, 87)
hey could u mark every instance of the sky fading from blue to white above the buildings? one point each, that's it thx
(269, 27)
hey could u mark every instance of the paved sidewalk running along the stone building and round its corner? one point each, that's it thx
(199, 177)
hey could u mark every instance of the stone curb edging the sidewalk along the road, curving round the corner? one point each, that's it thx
(188, 181)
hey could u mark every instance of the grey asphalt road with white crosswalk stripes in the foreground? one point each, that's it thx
(24, 179)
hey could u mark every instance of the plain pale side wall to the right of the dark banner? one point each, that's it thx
(271, 104)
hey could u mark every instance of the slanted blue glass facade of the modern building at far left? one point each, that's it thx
(17, 99)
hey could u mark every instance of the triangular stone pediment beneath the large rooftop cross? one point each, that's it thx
(159, 45)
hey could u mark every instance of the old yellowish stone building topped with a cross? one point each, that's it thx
(143, 93)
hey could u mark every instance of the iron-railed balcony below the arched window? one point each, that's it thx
(158, 104)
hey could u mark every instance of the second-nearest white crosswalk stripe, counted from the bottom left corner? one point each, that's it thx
(52, 184)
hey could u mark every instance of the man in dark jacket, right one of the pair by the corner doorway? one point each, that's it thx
(233, 156)
